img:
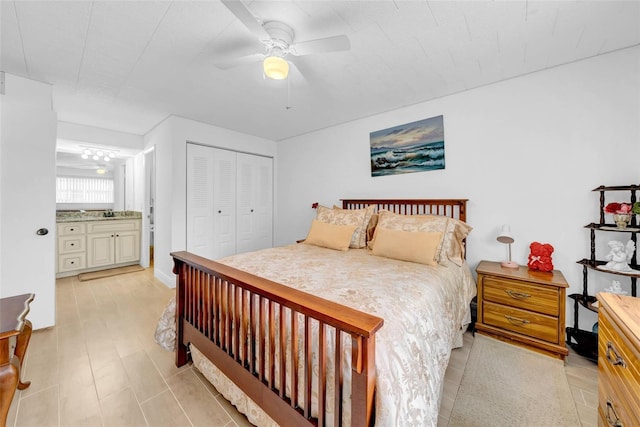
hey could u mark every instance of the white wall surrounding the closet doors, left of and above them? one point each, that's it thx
(170, 138)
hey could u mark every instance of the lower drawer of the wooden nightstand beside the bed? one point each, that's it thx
(521, 321)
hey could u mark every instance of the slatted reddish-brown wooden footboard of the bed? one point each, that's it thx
(250, 328)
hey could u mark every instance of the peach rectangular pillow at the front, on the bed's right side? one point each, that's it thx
(412, 246)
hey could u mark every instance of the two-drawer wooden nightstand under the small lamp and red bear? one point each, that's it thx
(523, 307)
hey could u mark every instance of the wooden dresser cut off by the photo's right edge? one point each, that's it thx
(619, 360)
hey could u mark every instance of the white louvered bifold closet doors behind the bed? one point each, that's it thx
(229, 202)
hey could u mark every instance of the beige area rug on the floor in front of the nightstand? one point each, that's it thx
(505, 385)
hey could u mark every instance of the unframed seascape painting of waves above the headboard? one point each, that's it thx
(412, 147)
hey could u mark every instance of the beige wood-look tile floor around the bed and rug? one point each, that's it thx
(99, 366)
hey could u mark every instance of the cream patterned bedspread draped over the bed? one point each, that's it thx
(424, 309)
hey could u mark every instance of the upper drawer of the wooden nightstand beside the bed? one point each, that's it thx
(531, 297)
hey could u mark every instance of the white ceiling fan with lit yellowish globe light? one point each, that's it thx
(279, 42)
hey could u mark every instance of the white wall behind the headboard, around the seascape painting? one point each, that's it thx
(525, 152)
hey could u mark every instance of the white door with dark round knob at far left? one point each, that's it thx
(27, 195)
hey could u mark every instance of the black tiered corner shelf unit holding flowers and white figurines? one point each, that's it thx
(585, 342)
